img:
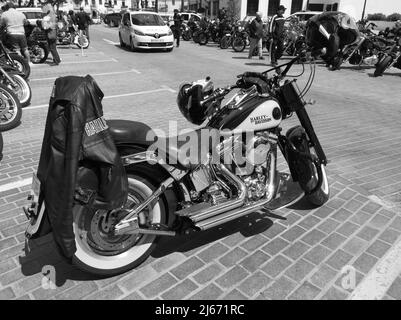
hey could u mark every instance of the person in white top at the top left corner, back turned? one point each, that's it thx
(14, 22)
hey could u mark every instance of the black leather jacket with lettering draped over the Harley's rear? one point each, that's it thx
(79, 164)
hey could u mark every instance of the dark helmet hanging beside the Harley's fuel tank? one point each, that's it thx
(189, 100)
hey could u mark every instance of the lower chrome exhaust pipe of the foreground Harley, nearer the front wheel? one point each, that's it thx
(216, 220)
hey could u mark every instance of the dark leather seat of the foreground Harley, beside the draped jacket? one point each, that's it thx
(184, 151)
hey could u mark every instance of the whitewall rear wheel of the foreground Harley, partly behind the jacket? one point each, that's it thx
(99, 250)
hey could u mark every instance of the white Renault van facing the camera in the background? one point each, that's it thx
(145, 30)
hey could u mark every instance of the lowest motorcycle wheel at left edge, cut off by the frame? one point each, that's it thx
(10, 109)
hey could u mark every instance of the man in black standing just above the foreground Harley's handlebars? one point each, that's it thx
(276, 30)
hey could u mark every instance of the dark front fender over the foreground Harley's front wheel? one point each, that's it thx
(301, 168)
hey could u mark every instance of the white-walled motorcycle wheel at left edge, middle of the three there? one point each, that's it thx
(13, 79)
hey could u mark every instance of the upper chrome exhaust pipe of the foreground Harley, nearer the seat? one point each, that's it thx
(211, 211)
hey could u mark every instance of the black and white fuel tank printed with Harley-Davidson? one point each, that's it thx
(256, 114)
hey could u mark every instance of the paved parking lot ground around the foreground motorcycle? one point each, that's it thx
(357, 118)
